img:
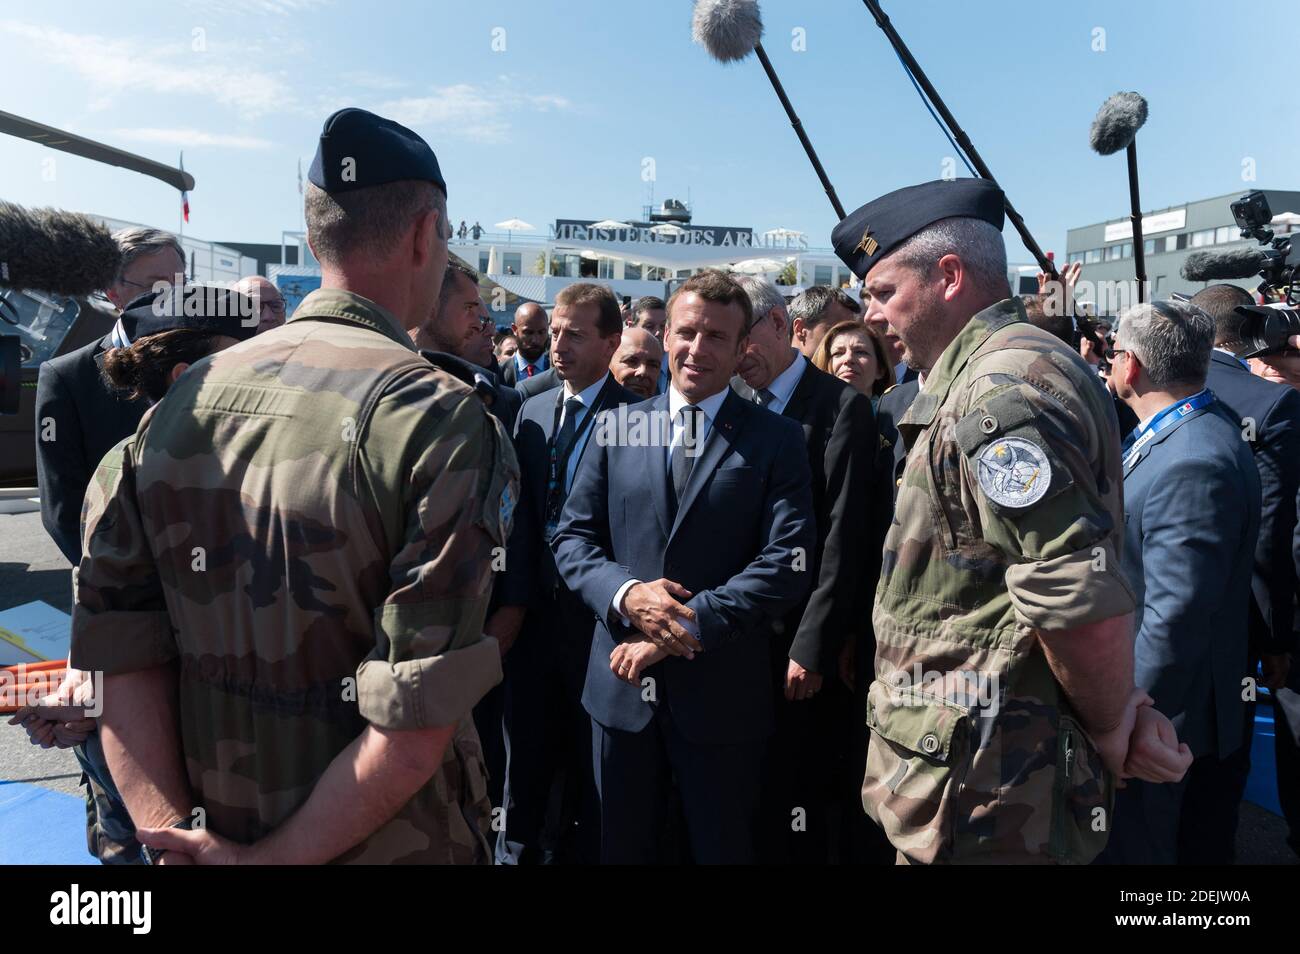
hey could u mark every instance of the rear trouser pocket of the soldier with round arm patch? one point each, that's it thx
(1084, 799)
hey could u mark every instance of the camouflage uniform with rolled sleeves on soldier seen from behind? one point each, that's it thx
(306, 526)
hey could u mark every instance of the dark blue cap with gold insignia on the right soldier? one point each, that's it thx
(870, 233)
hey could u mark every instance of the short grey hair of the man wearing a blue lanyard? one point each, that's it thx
(1173, 341)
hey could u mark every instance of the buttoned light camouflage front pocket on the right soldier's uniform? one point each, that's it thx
(916, 762)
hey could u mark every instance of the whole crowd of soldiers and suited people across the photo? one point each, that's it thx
(921, 574)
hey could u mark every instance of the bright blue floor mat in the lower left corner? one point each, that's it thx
(42, 827)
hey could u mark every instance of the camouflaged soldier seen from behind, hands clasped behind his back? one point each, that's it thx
(298, 543)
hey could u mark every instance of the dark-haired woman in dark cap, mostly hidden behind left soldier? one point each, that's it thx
(170, 332)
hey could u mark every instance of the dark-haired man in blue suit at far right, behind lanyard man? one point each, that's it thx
(1268, 419)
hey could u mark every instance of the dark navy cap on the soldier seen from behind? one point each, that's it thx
(359, 150)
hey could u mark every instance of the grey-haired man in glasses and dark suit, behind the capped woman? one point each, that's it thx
(79, 417)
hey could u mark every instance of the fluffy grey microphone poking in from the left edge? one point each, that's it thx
(55, 251)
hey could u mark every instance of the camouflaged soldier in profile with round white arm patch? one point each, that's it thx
(1004, 704)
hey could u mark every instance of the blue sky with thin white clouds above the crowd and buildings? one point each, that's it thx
(560, 122)
